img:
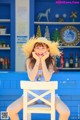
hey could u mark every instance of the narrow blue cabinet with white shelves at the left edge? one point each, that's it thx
(7, 35)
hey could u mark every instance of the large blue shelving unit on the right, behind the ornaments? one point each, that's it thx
(60, 9)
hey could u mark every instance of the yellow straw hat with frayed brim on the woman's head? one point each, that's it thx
(53, 46)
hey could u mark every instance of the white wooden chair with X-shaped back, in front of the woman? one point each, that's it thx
(50, 88)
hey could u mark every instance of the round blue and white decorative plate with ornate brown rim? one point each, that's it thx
(70, 35)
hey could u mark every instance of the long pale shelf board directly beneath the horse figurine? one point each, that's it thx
(57, 23)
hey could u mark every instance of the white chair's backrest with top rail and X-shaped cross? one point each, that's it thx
(28, 86)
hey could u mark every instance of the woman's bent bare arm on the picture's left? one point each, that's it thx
(32, 72)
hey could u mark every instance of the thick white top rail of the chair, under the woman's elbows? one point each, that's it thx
(53, 85)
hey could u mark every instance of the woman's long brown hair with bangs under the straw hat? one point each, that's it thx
(49, 61)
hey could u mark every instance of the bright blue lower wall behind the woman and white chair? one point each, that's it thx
(68, 90)
